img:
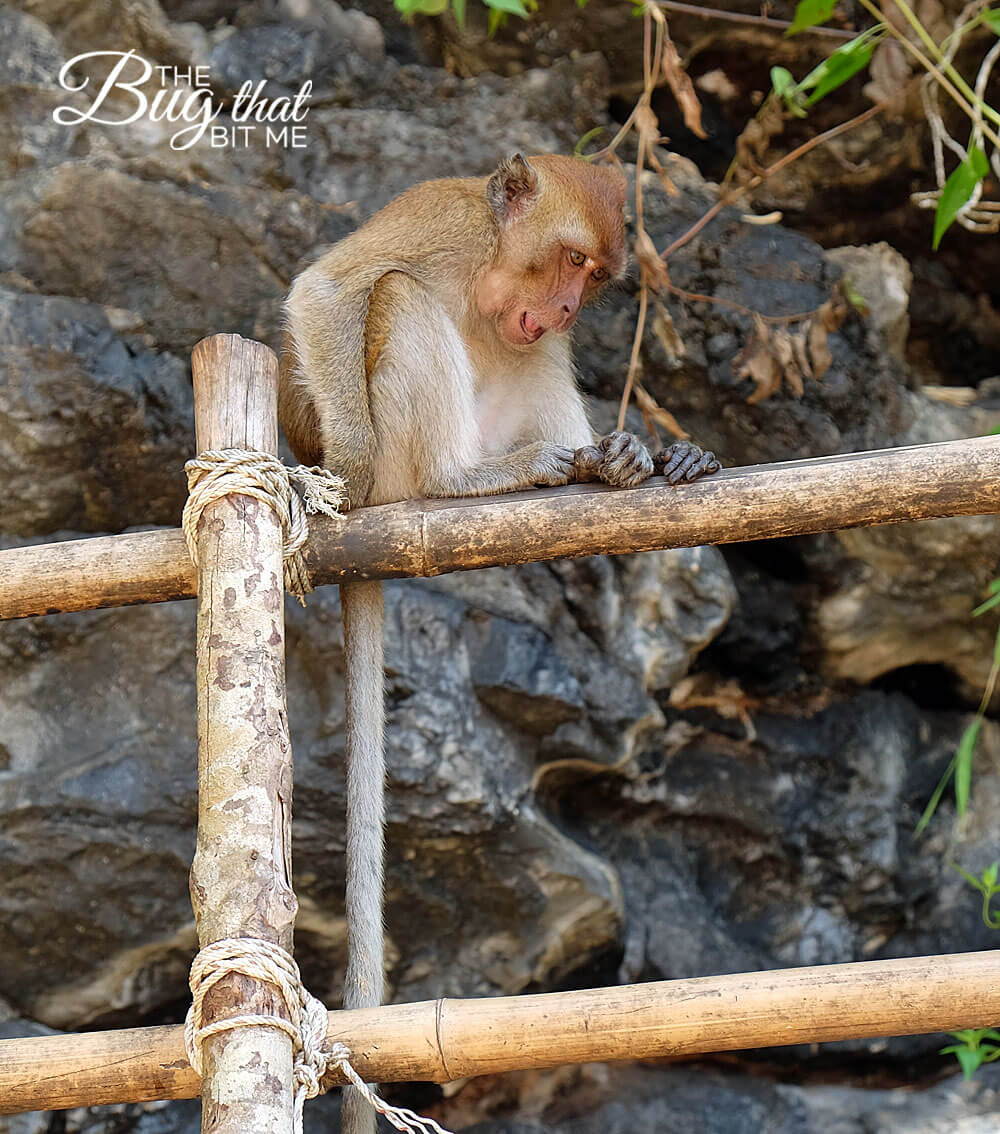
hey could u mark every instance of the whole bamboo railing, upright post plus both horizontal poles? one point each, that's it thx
(241, 879)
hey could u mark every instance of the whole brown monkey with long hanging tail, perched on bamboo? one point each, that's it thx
(428, 356)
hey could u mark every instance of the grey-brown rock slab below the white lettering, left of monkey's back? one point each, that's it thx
(192, 263)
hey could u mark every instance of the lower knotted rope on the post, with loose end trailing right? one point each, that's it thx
(307, 1026)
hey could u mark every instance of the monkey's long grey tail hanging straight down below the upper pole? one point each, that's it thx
(362, 611)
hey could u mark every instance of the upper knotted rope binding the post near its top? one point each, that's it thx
(217, 473)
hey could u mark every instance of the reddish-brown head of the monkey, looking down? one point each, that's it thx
(562, 238)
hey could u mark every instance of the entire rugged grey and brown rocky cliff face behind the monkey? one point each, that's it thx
(664, 766)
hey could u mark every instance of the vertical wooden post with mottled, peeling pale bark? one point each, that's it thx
(241, 879)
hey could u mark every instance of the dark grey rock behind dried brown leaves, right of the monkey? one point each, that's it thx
(858, 404)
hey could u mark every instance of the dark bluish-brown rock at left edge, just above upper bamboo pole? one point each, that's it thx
(89, 421)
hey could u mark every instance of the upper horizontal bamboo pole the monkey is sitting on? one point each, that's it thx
(436, 537)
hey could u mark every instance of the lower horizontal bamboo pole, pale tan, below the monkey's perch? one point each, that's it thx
(444, 1040)
